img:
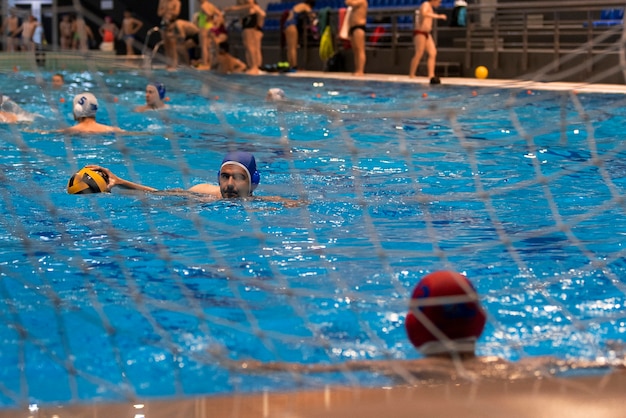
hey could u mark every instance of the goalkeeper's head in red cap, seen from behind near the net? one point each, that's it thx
(445, 316)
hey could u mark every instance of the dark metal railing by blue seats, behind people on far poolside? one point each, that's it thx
(556, 27)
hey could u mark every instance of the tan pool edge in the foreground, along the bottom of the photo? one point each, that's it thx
(590, 397)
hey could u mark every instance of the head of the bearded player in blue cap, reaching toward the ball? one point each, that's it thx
(235, 165)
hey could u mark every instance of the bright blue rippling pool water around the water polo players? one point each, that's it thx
(107, 297)
